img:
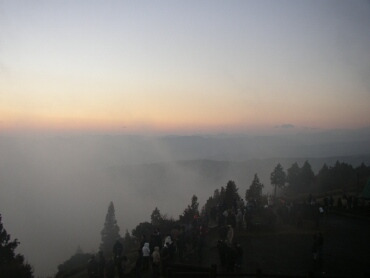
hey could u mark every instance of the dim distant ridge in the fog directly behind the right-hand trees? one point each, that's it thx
(213, 174)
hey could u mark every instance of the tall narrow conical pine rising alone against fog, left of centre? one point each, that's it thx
(110, 232)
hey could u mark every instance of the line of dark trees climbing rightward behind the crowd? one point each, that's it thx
(294, 180)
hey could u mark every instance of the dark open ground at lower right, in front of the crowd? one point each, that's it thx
(345, 253)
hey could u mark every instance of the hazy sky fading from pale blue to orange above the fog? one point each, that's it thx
(183, 66)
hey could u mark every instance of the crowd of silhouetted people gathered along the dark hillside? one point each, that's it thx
(156, 252)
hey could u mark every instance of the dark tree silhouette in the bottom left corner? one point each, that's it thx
(11, 264)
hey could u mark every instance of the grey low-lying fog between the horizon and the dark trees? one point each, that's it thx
(55, 190)
